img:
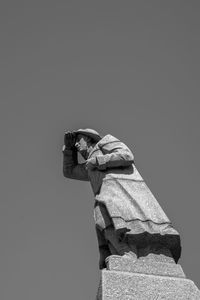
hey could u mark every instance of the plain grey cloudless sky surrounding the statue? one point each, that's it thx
(128, 68)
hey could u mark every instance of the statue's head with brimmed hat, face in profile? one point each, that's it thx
(85, 140)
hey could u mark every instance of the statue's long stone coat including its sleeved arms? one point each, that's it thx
(122, 199)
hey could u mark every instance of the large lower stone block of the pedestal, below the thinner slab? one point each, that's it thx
(131, 286)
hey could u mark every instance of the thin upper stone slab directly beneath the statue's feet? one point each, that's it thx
(117, 263)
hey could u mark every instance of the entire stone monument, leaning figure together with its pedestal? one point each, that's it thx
(138, 246)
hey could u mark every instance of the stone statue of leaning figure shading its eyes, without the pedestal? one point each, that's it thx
(129, 221)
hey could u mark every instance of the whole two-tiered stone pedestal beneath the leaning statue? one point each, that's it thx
(145, 280)
